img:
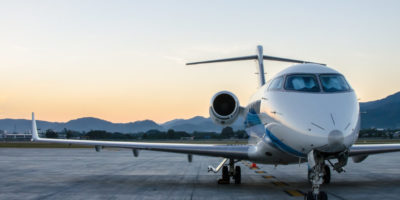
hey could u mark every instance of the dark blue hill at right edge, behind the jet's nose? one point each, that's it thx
(383, 113)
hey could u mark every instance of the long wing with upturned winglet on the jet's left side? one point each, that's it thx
(226, 151)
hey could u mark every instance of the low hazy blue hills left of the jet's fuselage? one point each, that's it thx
(89, 123)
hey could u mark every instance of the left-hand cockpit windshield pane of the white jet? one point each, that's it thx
(302, 83)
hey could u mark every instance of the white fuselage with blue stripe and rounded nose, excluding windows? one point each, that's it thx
(285, 125)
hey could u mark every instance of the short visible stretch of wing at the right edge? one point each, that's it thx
(368, 149)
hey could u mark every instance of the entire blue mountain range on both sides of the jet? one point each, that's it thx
(383, 113)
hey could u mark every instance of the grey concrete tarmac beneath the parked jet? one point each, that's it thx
(70, 173)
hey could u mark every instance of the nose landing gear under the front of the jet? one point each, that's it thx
(317, 167)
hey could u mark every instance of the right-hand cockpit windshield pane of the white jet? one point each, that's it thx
(333, 83)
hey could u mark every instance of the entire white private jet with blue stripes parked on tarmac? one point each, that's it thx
(306, 113)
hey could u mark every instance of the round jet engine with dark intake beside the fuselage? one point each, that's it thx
(224, 108)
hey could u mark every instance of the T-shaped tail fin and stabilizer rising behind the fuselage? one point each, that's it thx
(260, 57)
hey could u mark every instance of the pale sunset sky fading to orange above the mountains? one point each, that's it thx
(124, 60)
